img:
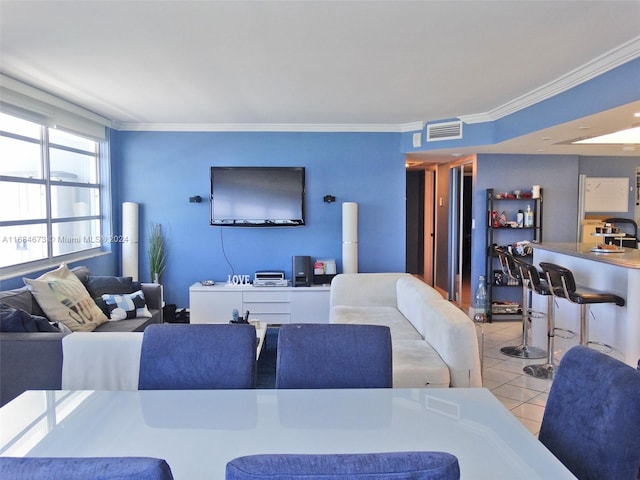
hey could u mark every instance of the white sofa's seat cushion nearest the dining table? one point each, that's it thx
(416, 364)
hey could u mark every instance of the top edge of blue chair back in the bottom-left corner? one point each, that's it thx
(77, 468)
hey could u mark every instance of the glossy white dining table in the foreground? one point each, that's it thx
(198, 431)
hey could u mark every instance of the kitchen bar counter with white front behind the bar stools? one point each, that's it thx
(617, 273)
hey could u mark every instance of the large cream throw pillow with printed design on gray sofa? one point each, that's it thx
(64, 299)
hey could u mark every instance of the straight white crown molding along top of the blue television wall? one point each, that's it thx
(274, 127)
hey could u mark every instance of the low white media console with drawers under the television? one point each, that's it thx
(272, 305)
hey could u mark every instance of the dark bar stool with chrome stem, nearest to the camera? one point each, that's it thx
(563, 285)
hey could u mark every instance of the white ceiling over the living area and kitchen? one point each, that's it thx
(348, 64)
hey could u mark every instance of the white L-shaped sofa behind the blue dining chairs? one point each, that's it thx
(434, 343)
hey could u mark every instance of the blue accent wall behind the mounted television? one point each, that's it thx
(161, 170)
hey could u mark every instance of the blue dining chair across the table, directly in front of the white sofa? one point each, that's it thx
(333, 356)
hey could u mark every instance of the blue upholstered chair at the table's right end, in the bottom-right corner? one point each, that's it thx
(591, 420)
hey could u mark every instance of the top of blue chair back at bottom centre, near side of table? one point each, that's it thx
(362, 466)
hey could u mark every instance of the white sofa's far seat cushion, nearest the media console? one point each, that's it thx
(386, 316)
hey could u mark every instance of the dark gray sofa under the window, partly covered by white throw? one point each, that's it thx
(33, 360)
